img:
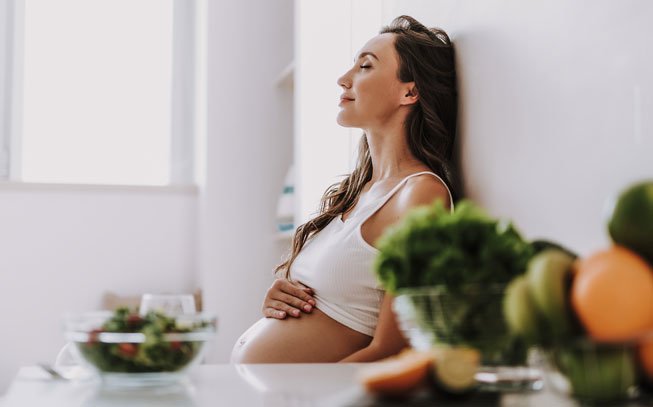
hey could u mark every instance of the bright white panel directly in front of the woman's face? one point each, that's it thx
(329, 35)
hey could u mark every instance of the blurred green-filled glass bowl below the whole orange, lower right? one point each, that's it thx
(593, 372)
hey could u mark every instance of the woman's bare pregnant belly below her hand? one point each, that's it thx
(312, 338)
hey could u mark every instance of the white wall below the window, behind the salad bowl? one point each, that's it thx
(63, 247)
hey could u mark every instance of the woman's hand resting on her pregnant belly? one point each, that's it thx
(286, 297)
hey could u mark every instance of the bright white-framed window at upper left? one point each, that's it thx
(99, 91)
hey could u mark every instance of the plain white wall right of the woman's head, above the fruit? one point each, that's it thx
(556, 103)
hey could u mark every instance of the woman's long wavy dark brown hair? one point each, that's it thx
(426, 56)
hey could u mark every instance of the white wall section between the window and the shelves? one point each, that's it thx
(249, 148)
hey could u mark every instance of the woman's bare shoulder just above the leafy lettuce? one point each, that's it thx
(422, 190)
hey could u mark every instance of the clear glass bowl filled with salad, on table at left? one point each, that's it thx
(128, 349)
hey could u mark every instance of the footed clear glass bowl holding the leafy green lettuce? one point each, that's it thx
(470, 316)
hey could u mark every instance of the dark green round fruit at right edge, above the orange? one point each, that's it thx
(630, 222)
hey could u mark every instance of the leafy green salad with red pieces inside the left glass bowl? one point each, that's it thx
(163, 347)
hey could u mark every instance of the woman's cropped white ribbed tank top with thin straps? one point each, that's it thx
(337, 264)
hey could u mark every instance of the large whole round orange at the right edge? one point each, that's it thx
(612, 294)
